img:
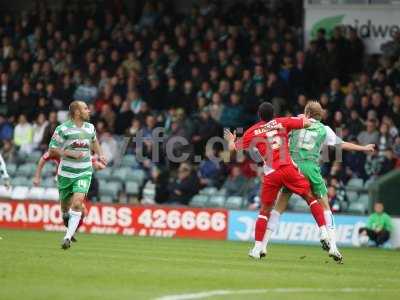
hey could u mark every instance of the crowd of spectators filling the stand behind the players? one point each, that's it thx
(193, 75)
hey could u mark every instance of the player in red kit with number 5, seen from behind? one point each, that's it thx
(270, 138)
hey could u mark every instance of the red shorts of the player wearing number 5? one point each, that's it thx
(288, 176)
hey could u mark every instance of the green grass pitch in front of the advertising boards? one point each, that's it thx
(32, 266)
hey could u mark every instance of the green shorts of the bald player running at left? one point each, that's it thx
(69, 186)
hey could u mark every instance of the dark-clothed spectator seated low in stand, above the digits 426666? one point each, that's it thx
(184, 186)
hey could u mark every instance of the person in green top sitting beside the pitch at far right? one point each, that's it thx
(379, 227)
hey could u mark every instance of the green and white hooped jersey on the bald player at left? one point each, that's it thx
(68, 136)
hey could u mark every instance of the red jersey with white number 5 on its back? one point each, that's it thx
(271, 140)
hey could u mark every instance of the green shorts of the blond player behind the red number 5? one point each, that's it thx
(312, 172)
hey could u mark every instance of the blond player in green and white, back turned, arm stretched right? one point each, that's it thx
(305, 149)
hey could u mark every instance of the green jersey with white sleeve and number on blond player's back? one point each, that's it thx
(306, 144)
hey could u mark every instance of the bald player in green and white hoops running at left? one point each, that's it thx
(73, 142)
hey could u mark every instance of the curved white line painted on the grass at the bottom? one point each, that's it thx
(203, 295)
